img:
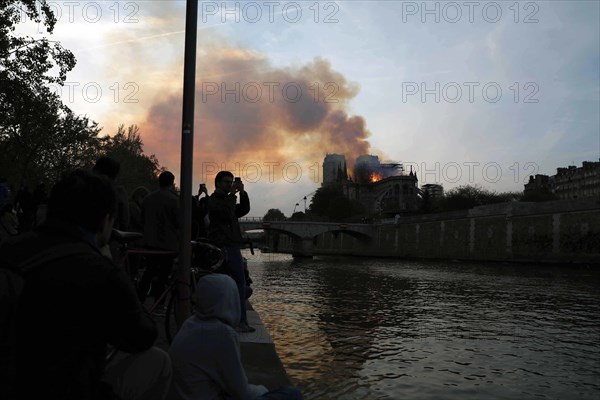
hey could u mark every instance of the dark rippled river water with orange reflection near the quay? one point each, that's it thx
(361, 328)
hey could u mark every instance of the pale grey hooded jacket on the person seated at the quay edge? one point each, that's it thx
(206, 351)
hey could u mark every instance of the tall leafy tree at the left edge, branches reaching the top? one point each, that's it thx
(39, 135)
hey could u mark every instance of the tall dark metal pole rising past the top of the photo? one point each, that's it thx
(183, 308)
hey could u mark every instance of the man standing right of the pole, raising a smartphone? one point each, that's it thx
(224, 230)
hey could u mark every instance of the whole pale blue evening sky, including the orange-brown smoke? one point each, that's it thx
(468, 92)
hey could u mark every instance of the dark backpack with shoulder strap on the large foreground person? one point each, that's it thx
(12, 281)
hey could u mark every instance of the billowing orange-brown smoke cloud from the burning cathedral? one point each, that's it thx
(257, 121)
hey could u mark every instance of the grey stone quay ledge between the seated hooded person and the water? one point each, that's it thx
(259, 356)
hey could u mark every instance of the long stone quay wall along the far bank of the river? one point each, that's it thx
(559, 231)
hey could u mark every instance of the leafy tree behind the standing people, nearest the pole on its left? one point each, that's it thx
(137, 168)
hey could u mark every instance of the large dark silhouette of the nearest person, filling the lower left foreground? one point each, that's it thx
(75, 302)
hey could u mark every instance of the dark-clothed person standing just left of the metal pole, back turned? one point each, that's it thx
(160, 213)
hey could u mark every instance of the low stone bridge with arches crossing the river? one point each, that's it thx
(304, 233)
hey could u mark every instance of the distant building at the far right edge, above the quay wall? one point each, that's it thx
(573, 182)
